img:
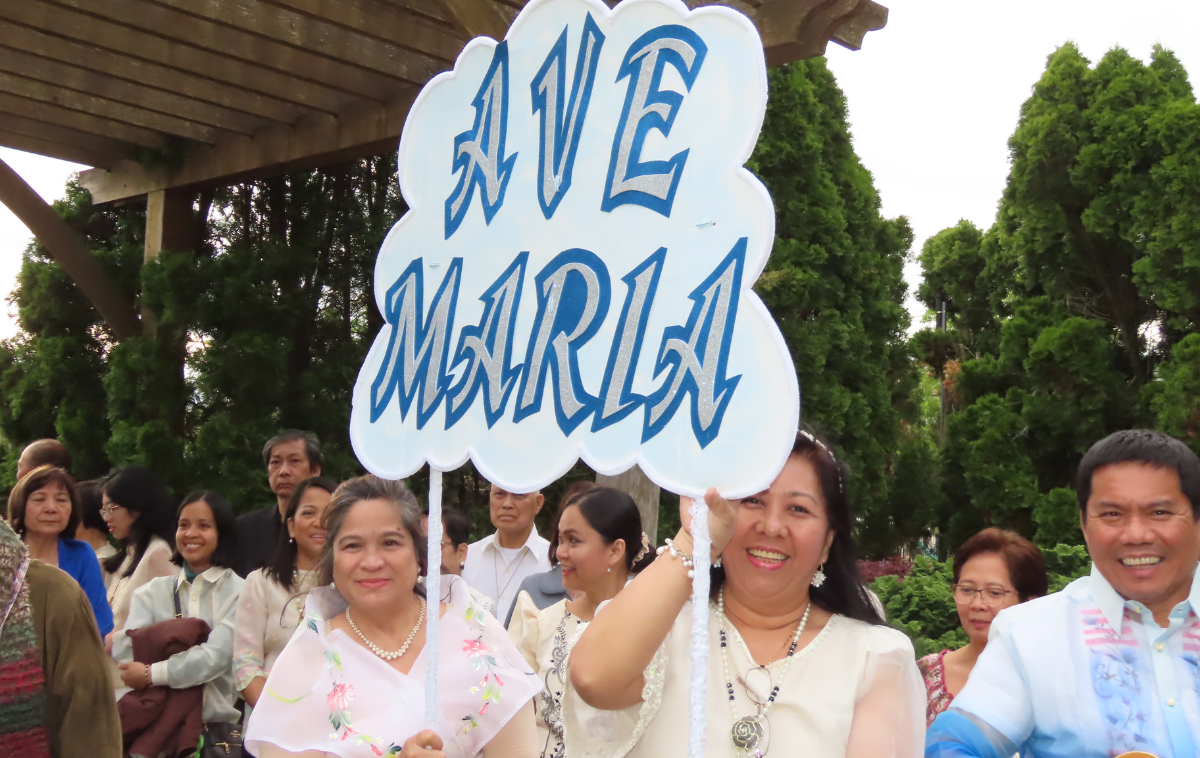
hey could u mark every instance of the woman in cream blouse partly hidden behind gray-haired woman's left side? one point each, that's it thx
(272, 604)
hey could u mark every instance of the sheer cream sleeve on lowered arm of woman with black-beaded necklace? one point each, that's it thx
(890, 709)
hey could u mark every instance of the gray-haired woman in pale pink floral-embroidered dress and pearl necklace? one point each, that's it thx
(351, 681)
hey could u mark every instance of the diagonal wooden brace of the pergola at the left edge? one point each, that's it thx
(70, 252)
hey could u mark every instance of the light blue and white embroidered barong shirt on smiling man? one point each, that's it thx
(1082, 673)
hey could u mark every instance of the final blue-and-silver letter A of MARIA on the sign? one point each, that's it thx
(698, 353)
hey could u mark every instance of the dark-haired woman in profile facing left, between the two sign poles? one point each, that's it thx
(601, 545)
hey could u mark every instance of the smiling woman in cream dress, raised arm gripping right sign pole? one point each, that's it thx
(800, 660)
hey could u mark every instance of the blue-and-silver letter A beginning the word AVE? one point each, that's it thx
(479, 153)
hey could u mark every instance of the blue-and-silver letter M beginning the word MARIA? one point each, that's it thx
(417, 354)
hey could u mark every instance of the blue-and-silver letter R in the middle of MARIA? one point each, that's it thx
(573, 300)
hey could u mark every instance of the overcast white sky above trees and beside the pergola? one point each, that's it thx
(933, 100)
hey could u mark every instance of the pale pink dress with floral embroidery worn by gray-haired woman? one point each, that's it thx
(327, 693)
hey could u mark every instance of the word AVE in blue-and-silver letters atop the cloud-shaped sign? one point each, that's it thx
(482, 157)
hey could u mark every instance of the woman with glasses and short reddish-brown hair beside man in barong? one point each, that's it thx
(993, 570)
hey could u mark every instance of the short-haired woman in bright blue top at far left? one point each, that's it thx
(43, 508)
